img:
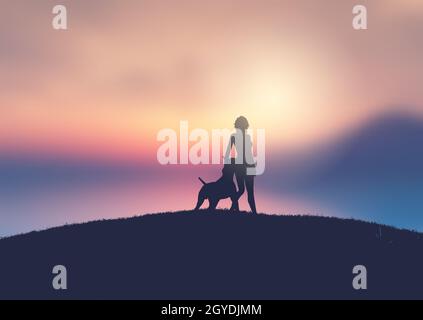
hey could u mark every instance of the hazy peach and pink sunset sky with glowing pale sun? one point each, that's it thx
(99, 92)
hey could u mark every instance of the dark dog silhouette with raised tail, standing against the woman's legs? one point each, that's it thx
(221, 189)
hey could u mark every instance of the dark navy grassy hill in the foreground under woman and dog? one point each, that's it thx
(214, 255)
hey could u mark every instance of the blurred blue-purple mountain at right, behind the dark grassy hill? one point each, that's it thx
(373, 173)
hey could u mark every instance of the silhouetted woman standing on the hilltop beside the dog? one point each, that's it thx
(244, 160)
